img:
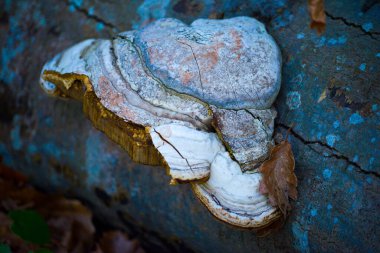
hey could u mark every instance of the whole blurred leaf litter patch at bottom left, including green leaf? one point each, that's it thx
(69, 222)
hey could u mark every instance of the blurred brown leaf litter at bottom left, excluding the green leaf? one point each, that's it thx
(69, 221)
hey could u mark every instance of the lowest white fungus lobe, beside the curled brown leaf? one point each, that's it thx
(233, 196)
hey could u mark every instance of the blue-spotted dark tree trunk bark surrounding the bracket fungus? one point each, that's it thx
(330, 90)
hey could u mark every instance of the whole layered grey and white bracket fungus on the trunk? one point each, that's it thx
(195, 98)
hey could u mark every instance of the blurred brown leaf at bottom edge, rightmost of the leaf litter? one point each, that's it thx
(118, 242)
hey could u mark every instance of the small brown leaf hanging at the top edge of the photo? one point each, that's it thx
(317, 15)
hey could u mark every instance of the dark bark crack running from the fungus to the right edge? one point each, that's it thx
(335, 153)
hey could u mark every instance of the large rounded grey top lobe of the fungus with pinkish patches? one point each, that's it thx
(232, 63)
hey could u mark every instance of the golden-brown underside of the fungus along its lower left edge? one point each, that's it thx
(130, 136)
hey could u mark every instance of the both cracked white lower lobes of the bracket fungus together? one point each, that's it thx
(231, 195)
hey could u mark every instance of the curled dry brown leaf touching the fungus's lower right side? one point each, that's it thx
(279, 180)
